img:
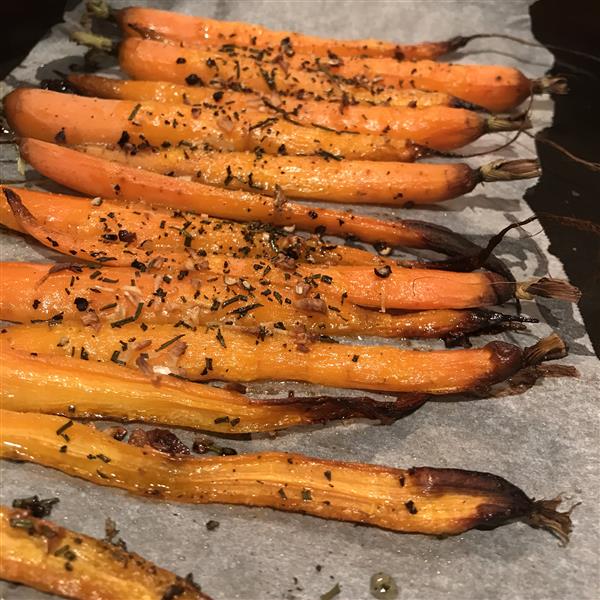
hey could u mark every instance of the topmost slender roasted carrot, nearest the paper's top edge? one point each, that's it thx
(205, 32)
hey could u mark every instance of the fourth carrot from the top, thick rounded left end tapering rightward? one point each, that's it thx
(72, 119)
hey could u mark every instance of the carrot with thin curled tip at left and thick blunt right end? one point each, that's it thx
(378, 287)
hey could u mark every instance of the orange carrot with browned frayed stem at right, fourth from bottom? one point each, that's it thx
(235, 355)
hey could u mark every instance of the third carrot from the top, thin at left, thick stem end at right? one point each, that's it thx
(438, 127)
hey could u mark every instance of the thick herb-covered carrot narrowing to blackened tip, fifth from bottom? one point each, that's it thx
(97, 296)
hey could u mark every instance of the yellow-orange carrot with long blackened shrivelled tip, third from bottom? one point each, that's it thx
(79, 389)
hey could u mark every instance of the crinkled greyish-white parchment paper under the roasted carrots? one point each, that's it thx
(545, 441)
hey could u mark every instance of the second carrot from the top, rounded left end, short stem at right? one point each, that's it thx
(496, 88)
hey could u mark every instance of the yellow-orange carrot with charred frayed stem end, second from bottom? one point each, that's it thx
(418, 500)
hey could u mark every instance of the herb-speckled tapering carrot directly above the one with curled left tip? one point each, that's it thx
(165, 232)
